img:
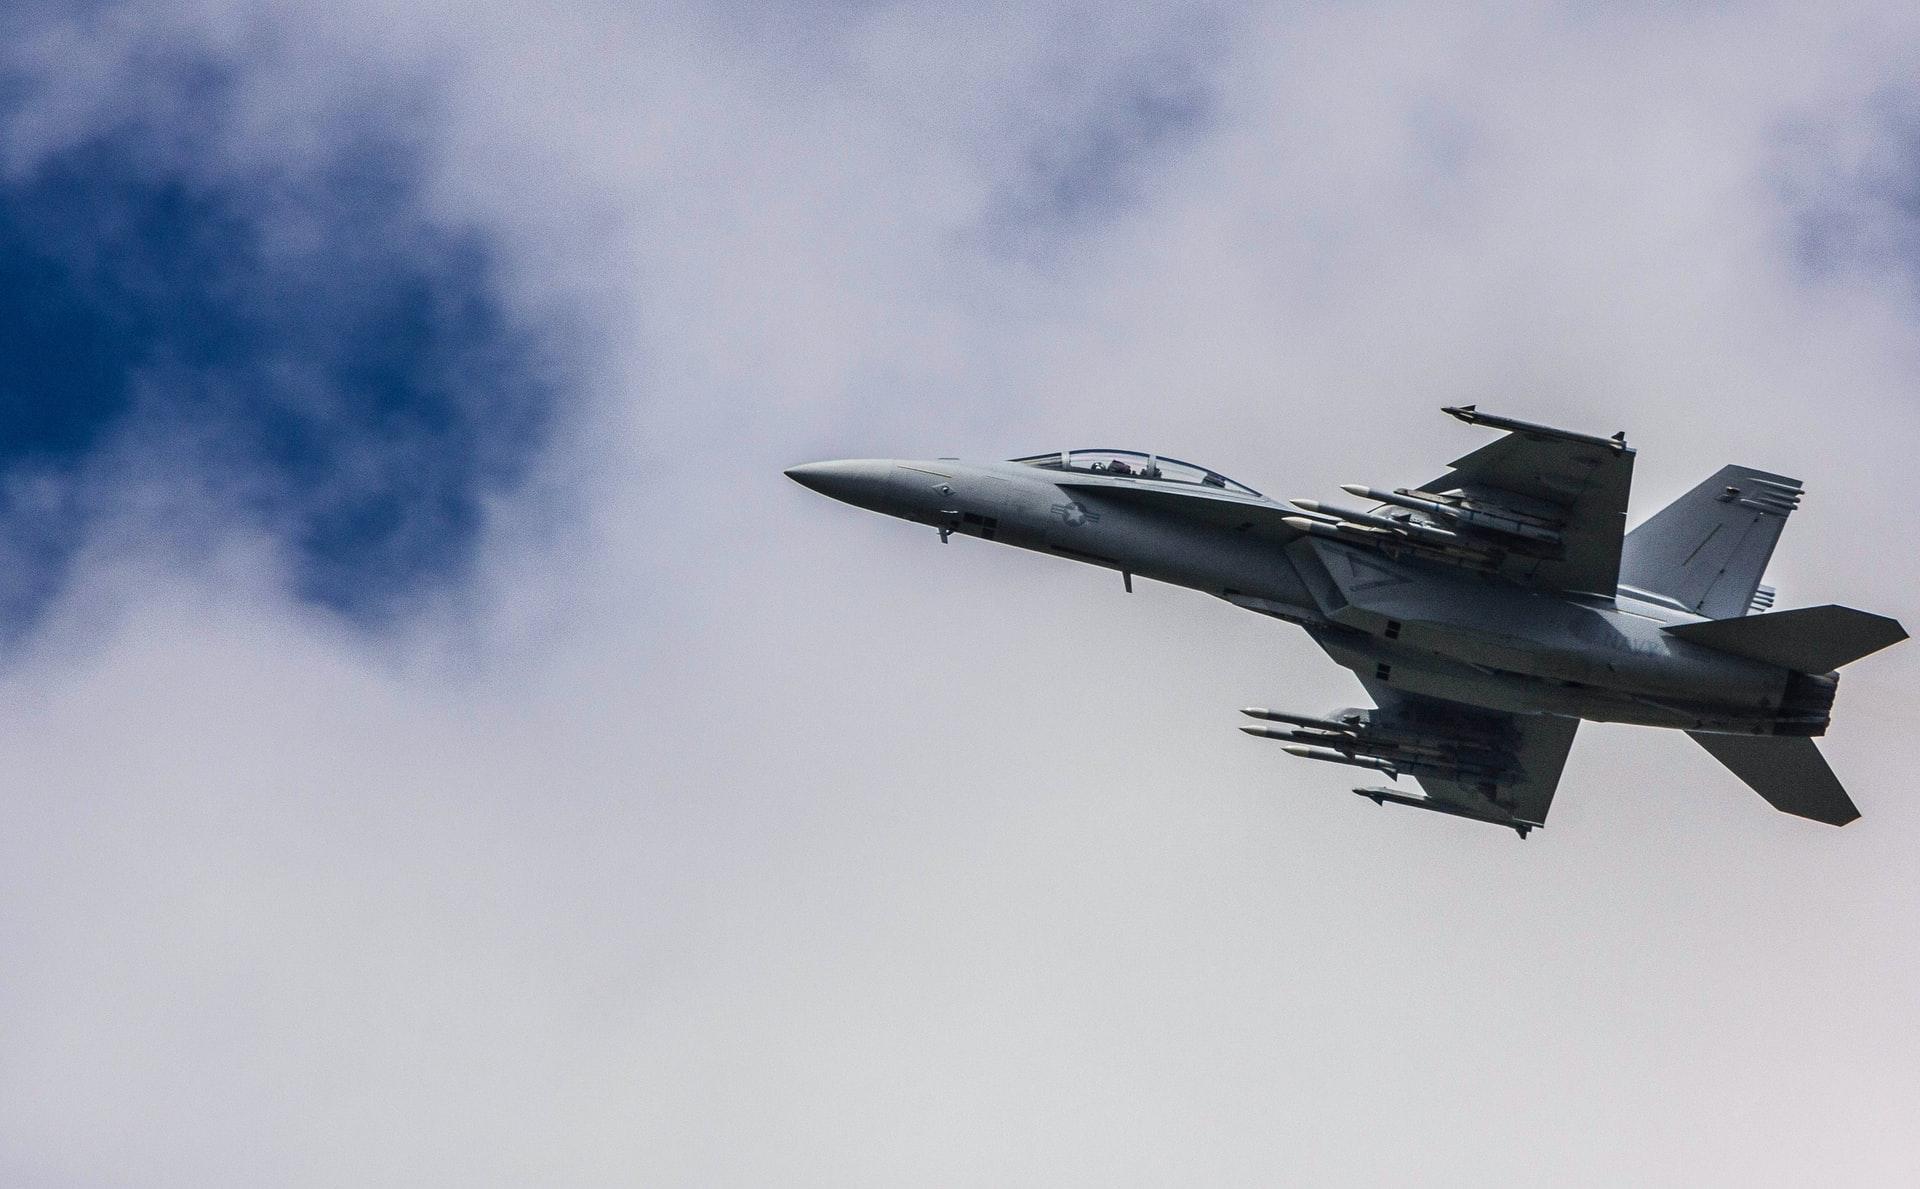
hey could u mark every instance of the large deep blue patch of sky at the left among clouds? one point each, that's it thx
(300, 343)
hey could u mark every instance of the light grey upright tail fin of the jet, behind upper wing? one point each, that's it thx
(1710, 548)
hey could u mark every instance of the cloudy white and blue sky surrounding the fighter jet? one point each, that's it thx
(441, 748)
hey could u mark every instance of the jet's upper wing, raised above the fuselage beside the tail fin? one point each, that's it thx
(1568, 495)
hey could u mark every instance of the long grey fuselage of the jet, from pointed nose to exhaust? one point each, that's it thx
(1418, 625)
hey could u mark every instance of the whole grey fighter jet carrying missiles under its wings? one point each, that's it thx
(1485, 612)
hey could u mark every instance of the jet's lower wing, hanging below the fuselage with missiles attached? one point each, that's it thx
(1506, 767)
